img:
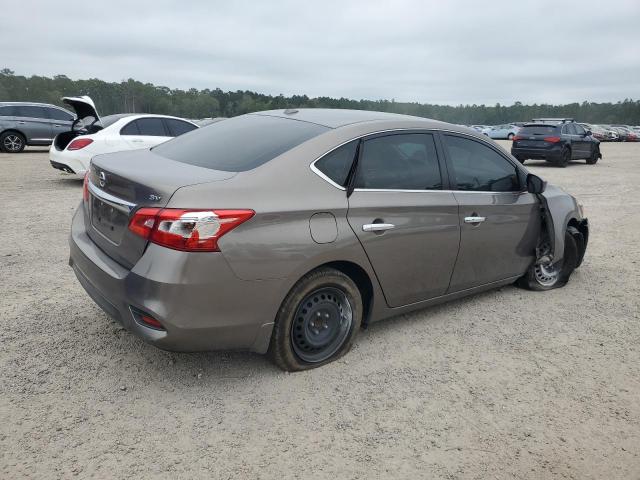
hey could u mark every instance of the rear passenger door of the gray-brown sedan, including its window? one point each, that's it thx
(404, 219)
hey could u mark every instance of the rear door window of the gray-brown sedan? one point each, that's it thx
(399, 162)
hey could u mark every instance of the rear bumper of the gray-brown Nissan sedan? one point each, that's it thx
(196, 297)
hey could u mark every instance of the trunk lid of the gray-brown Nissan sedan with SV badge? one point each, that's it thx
(122, 182)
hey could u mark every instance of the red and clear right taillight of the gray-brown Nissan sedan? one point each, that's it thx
(187, 230)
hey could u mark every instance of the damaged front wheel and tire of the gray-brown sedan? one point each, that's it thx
(542, 278)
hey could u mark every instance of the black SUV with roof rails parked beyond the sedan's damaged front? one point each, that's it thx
(557, 141)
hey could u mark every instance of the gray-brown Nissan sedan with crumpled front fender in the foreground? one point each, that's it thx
(287, 231)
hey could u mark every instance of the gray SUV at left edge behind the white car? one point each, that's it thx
(24, 123)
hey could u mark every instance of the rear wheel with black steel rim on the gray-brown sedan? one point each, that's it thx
(317, 321)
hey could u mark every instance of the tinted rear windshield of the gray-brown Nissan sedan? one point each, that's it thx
(239, 144)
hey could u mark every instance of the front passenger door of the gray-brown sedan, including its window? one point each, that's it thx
(499, 219)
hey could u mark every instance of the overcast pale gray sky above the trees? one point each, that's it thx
(446, 52)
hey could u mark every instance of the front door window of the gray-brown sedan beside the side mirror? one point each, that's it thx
(477, 167)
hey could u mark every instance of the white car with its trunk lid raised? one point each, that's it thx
(92, 135)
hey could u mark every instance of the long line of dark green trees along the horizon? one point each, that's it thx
(131, 96)
